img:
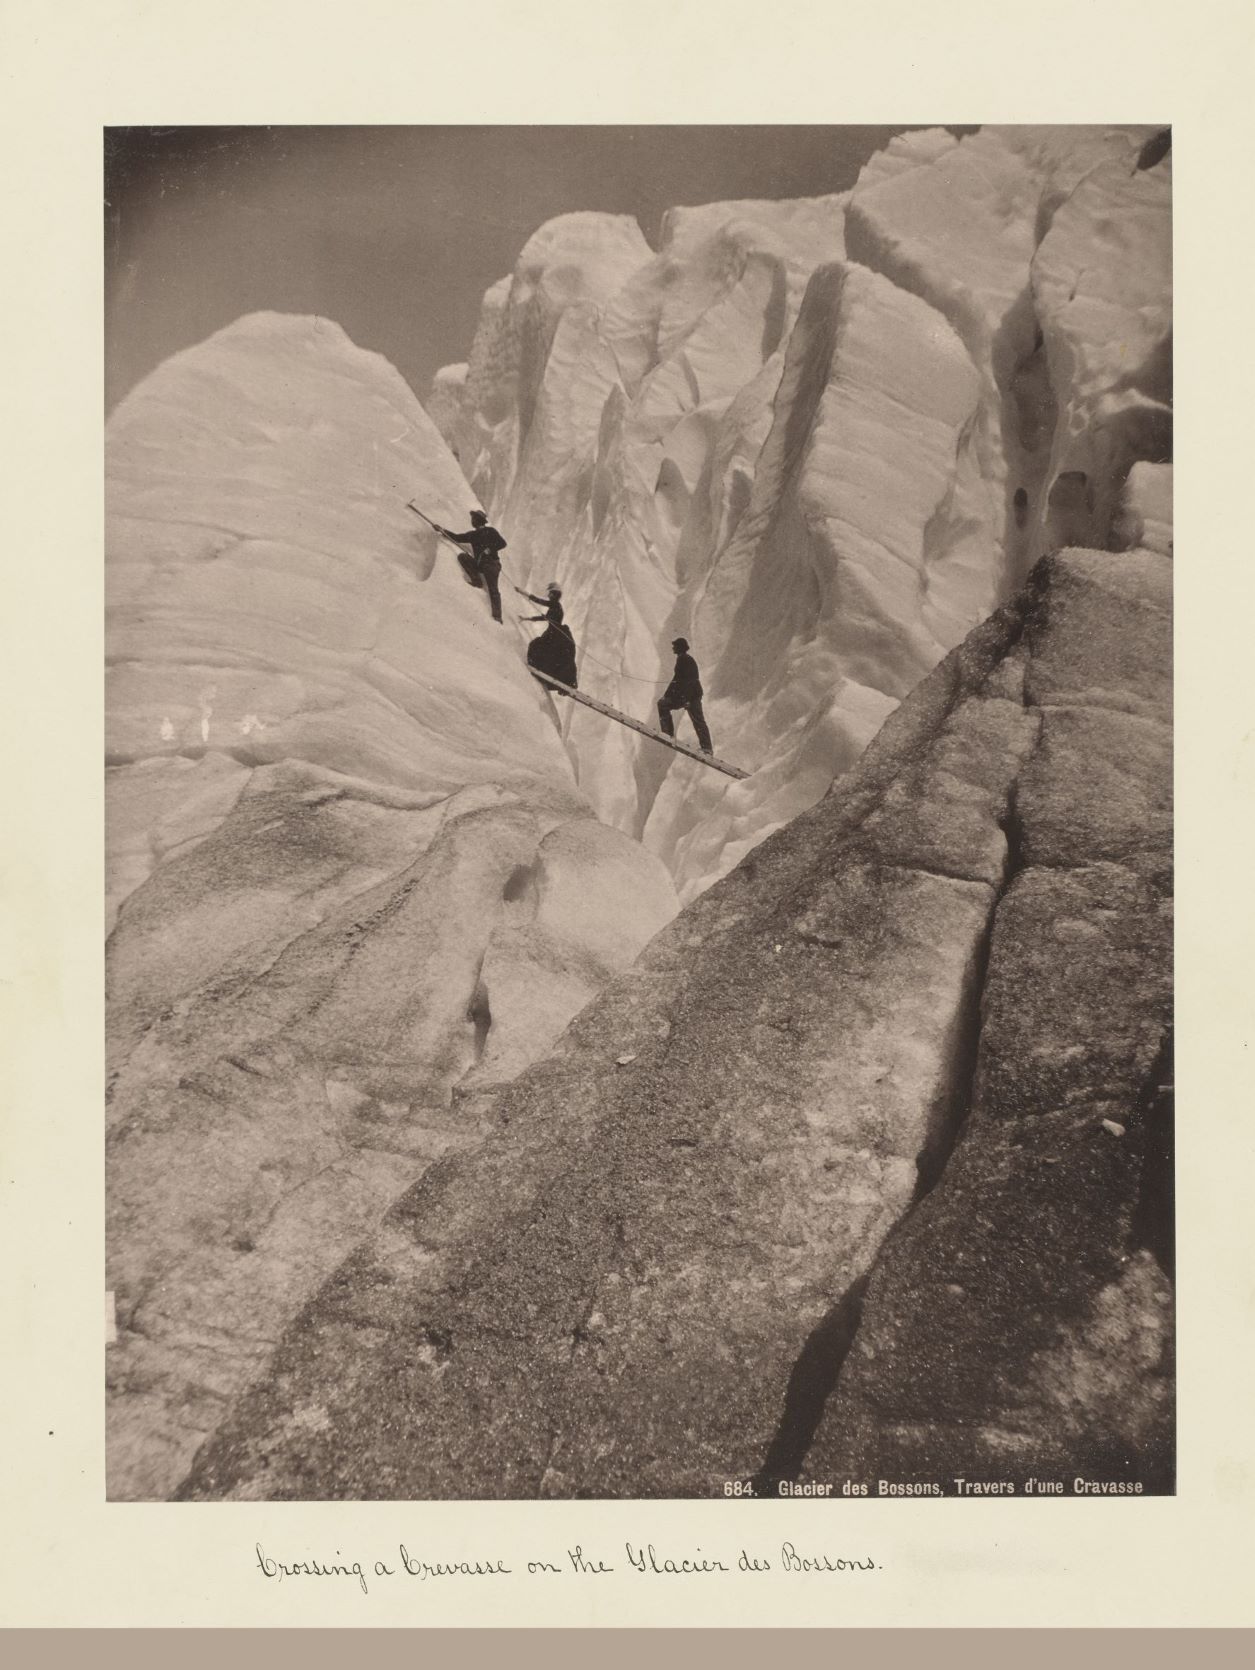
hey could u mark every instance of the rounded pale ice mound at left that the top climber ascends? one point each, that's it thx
(352, 878)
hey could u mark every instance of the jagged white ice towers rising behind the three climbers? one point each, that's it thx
(821, 440)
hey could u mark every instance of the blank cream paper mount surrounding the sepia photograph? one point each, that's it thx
(73, 1559)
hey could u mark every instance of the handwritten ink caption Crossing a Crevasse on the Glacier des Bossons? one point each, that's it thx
(643, 1559)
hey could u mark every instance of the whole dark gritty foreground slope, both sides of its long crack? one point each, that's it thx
(649, 1277)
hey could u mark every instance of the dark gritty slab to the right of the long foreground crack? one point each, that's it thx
(1019, 1323)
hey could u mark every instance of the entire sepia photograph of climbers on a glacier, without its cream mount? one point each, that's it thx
(639, 841)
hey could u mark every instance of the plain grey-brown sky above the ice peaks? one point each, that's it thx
(395, 233)
